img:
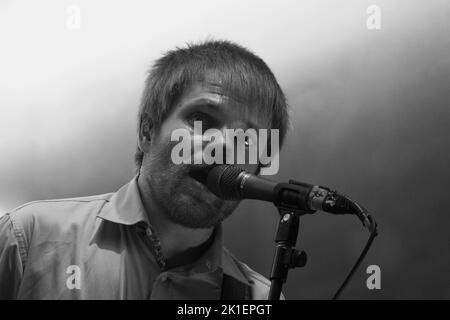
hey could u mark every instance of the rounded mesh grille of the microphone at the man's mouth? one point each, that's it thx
(223, 181)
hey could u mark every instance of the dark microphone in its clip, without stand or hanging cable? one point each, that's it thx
(233, 183)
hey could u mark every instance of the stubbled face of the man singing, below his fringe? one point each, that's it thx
(184, 200)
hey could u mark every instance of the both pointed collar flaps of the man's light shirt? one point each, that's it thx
(126, 207)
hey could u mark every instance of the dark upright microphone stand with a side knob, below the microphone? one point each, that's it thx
(286, 256)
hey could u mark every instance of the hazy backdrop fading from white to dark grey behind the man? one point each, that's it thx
(370, 117)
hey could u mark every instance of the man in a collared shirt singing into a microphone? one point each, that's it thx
(160, 236)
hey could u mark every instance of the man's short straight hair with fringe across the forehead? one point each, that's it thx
(239, 71)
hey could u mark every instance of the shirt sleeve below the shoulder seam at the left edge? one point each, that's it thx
(11, 267)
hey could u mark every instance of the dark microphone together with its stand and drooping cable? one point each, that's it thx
(234, 183)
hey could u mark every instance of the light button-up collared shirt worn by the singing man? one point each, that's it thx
(103, 247)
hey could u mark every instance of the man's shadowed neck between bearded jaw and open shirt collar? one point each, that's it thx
(180, 245)
